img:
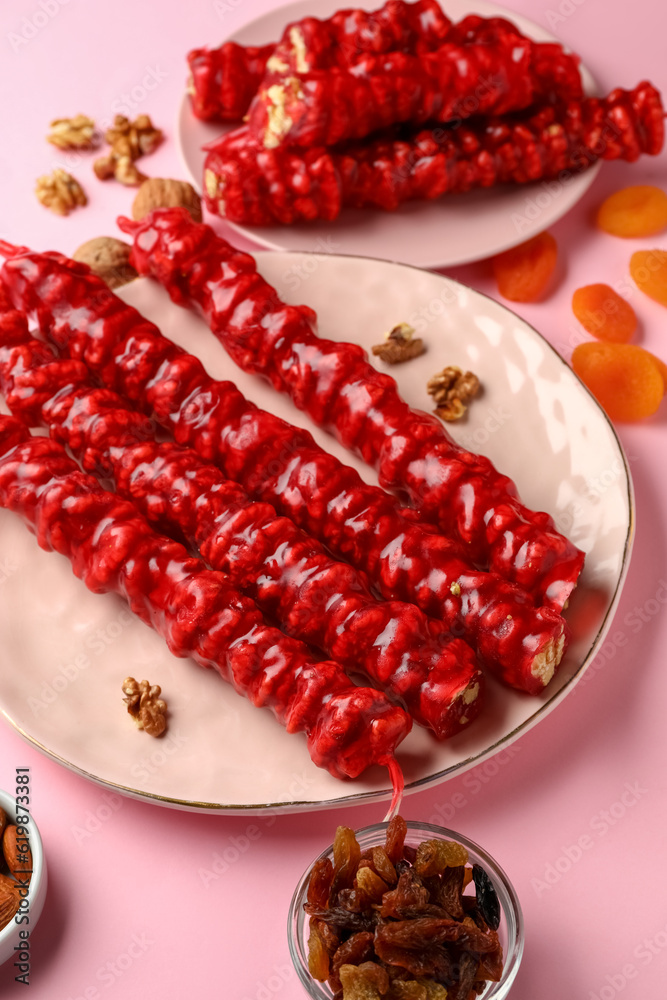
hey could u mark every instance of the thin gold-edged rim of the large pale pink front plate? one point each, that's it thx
(459, 768)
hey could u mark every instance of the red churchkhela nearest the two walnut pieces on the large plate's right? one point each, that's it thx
(461, 493)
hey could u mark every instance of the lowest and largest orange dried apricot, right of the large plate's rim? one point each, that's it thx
(623, 378)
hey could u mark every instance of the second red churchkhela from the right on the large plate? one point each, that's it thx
(281, 464)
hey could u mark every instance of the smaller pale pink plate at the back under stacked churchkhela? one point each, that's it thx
(454, 230)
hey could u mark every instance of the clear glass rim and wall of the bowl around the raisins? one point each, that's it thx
(510, 930)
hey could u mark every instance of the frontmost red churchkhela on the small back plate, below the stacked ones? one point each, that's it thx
(248, 184)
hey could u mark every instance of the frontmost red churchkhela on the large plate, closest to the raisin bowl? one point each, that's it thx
(196, 610)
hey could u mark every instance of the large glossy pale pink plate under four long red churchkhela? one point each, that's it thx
(66, 651)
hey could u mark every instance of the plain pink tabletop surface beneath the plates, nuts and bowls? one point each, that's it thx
(140, 903)
